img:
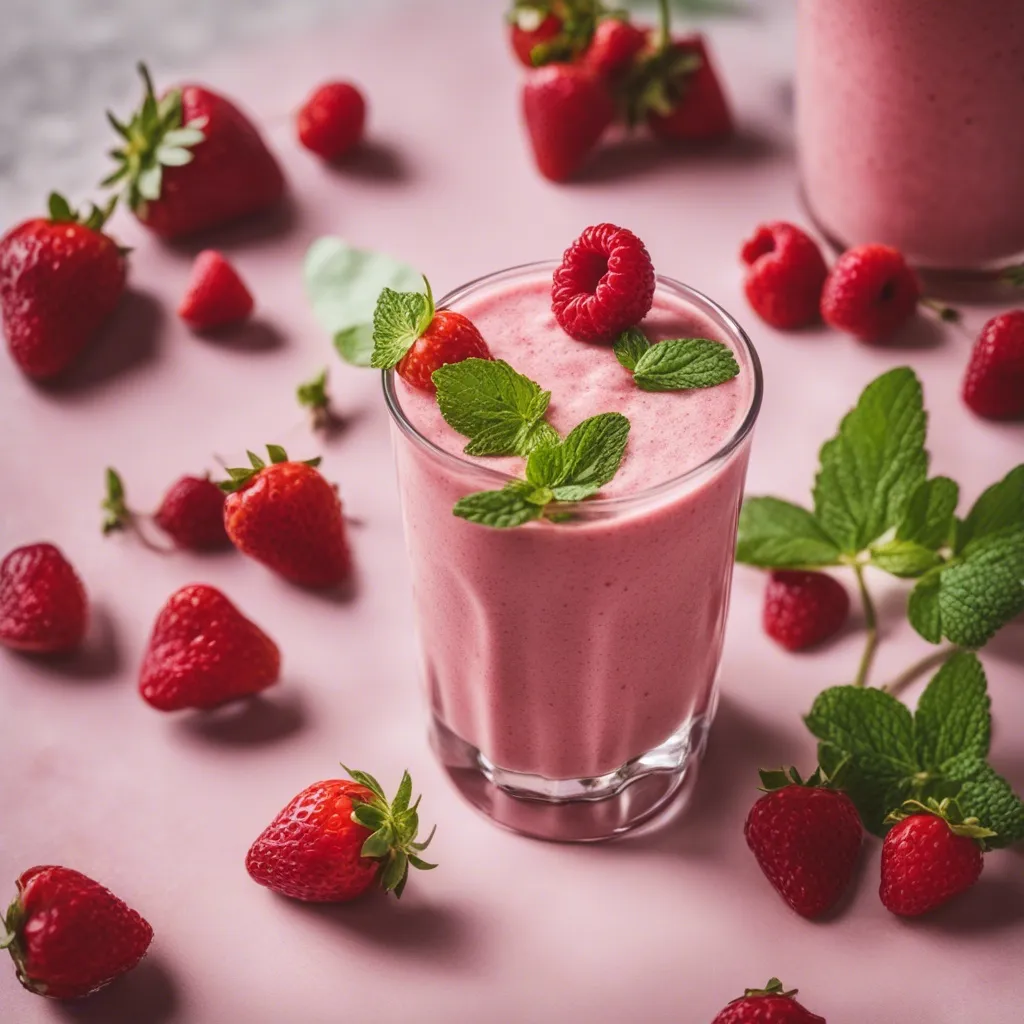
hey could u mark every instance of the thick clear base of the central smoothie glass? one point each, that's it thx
(578, 810)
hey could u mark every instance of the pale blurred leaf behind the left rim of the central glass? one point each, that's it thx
(344, 284)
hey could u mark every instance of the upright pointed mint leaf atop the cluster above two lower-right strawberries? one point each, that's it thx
(954, 717)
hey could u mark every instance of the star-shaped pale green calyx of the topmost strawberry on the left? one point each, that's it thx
(153, 140)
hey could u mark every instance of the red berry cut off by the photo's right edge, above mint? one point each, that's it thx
(994, 387)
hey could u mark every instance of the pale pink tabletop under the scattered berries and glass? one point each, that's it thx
(665, 927)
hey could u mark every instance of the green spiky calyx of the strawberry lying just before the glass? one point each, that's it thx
(394, 829)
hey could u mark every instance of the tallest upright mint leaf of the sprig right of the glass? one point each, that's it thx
(876, 462)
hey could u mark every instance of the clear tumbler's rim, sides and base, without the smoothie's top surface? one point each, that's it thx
(582, 712)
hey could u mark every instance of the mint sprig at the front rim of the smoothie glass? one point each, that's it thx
(567, 472)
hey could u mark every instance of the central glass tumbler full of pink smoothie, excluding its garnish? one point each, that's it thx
(572, 667)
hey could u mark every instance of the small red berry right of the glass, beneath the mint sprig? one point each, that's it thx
(804, 609)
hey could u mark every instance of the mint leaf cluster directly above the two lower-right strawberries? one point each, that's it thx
(889, 755)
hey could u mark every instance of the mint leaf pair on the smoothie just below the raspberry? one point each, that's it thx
(681, 365)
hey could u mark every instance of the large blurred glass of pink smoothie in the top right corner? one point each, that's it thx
(910, 126)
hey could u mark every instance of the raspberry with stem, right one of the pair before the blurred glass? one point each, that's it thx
(871, 293)
